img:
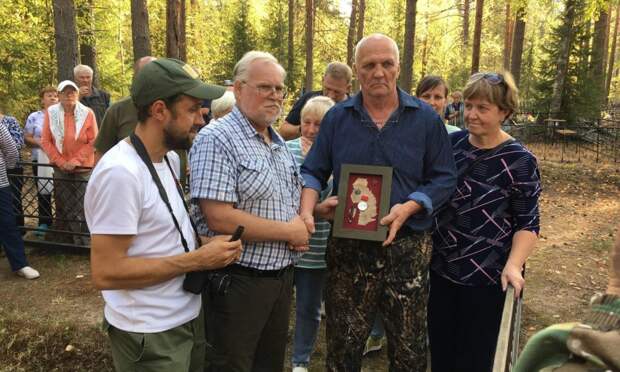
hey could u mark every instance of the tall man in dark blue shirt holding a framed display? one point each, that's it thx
(381, 125)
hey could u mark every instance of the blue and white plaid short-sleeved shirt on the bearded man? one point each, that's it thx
(231, 162)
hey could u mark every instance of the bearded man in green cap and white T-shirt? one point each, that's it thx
(143, 242)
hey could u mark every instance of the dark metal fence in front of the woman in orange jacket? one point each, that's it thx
(50, 209)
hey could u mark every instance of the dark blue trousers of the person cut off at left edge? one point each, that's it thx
(10, 238)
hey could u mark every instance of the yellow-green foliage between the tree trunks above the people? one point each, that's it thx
(219, 32)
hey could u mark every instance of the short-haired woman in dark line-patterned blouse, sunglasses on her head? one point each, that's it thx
(482, 247)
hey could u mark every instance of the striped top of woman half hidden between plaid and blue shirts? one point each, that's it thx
(315, 257)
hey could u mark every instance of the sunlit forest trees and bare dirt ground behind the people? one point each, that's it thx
(562, 52)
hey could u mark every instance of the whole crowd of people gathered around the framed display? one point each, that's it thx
(207, 283)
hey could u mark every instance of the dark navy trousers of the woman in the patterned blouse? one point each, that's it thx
(463, 325)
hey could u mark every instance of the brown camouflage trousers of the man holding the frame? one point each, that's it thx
(365, 278)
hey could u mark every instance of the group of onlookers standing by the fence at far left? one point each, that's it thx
(61, 134)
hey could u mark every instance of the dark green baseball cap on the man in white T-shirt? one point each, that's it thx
(167, 77)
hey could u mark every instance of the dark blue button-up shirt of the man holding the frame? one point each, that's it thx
(414, 142)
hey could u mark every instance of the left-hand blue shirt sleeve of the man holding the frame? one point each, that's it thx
(317, 167)
